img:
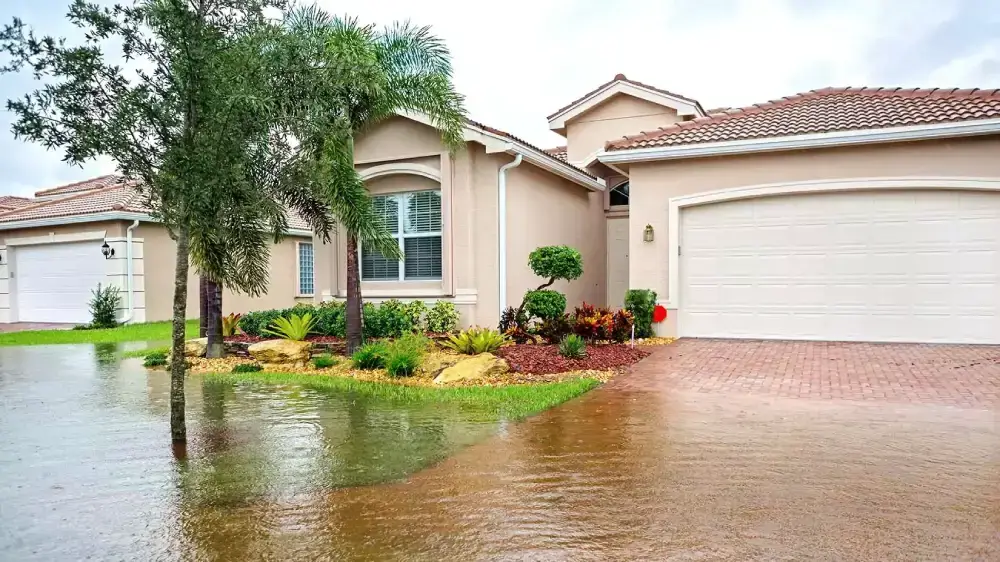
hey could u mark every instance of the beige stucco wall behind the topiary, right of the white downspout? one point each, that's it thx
(545, 210)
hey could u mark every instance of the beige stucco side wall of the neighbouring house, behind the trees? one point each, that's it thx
(160, 252)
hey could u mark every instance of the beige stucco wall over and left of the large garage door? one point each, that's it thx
(653, 184)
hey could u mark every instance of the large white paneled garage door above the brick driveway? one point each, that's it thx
(903, 266)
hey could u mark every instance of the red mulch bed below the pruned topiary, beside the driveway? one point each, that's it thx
(545, 359)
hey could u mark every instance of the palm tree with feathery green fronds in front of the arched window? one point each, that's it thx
(374, 74)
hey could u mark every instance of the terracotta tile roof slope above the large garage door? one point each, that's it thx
(826, 110)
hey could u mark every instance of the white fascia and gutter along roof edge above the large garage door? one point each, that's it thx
(801, 142)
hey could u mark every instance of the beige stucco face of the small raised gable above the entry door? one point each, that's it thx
(619, 116)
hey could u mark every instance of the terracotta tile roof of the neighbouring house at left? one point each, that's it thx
(118, 197)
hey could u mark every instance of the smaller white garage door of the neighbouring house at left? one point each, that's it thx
(54, 281)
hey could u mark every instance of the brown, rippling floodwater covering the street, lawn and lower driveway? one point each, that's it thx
(626, 472)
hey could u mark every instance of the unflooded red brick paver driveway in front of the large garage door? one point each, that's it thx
(966, 376)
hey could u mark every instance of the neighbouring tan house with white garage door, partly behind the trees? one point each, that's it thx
(51, 257)
